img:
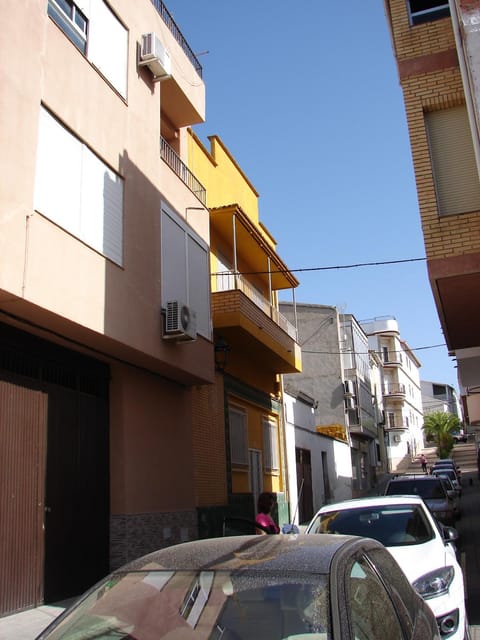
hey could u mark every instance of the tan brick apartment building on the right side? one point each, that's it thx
(436, 45)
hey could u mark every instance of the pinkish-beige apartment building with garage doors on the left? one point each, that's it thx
(105, 320)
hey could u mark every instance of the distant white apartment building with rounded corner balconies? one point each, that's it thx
(402, 397)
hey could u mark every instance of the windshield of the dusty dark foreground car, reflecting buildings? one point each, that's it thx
(208, 605)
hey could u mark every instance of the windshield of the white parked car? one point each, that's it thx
(392, 525)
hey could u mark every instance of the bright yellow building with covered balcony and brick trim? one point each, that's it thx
(254, 345)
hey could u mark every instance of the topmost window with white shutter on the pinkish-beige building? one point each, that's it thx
(99, 35)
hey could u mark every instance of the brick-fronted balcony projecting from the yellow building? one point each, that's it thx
(249, 322)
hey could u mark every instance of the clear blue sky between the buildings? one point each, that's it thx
(306, 97)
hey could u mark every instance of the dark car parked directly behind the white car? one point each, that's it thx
(431, 489)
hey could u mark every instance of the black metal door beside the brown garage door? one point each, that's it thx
(77, 494)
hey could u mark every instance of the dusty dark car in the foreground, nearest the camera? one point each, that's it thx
(289, 587)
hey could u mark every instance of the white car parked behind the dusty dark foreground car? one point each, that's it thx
(422, 546)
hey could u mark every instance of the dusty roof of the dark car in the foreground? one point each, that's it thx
(304, 553)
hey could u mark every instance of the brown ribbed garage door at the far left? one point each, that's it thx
(23, 420)
